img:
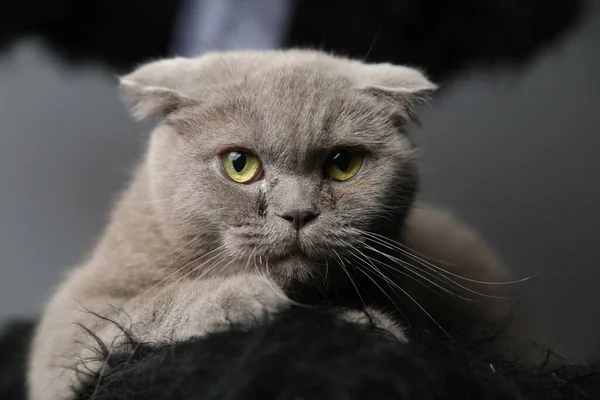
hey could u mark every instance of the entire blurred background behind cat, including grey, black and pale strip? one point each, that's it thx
(510, 143)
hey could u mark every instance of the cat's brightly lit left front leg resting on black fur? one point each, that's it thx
(76, 336)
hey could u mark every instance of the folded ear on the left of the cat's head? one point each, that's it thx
(156, 89)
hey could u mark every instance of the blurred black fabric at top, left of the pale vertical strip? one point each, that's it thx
(117, 33)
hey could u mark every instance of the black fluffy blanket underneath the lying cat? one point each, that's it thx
(309, 355)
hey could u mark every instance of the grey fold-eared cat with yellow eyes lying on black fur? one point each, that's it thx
(265, 169)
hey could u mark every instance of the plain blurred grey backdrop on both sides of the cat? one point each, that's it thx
(513, 153)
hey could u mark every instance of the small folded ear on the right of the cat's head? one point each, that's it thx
(403, 88)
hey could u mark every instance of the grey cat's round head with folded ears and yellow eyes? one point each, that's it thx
(283, 157)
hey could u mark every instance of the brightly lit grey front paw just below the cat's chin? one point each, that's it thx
(244, 300)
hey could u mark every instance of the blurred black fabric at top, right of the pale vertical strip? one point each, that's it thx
(444, 37)
